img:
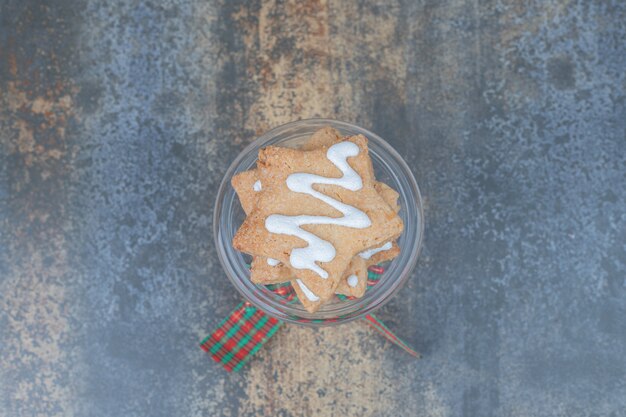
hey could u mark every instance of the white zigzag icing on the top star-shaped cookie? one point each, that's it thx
(320, 250)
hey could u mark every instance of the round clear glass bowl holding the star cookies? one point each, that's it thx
(389, 168)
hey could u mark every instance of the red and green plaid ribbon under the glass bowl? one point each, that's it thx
(240, 335)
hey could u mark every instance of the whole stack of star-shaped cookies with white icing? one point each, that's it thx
(317, 217)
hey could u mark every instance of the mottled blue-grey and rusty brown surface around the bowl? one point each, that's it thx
(118, 119)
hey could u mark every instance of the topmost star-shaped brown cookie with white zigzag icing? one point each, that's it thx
(325, 211)
